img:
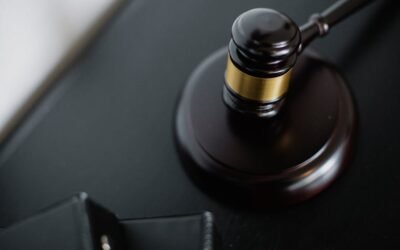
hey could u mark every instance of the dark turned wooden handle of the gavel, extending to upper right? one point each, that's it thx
(320, 24)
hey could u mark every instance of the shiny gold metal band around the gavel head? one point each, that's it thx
(256, 88)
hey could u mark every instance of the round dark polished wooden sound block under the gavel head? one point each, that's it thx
(285, 159)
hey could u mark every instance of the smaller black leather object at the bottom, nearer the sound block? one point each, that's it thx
(191, 232)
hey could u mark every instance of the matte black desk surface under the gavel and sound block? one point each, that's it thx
(107, 128)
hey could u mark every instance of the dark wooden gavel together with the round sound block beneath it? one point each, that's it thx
(266, 115)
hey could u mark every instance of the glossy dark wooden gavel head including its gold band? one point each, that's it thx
(261, 53)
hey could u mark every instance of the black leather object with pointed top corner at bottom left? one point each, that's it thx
(74, 224)
